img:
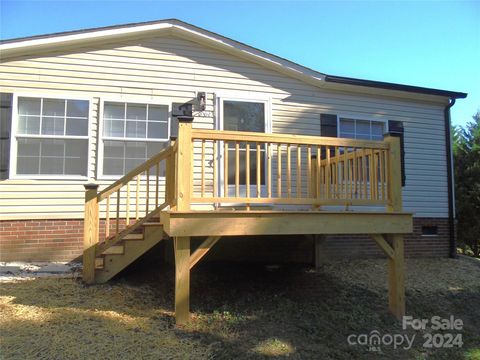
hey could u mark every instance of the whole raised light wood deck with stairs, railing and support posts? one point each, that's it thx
(326, 186)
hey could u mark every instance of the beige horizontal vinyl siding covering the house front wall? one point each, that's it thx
(168, 69)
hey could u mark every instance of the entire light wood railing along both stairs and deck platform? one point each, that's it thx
(242, 168)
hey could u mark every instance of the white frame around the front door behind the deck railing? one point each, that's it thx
(240, 97)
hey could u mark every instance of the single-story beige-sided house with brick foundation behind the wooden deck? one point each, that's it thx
(89, 106)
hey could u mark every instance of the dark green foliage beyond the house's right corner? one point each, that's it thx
(466, 150)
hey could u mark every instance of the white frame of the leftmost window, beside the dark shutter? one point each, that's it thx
(12, 173)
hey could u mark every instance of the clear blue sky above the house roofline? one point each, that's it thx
(425, 43)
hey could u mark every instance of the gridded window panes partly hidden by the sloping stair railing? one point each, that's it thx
(132, 133)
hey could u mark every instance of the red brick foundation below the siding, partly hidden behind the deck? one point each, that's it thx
(61, 240)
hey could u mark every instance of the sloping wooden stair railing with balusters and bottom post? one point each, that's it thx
(127, 204)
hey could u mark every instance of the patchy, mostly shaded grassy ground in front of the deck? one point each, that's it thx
(238, 311)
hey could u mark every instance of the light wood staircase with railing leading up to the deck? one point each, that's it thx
(122, 221)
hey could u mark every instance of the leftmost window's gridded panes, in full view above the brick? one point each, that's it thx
(51, 137)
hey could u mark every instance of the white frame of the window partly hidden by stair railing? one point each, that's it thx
(101, 139)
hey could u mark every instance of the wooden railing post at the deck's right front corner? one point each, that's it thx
(394, 174)
